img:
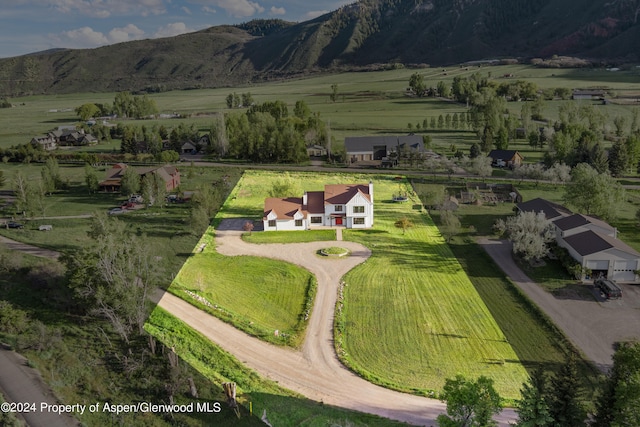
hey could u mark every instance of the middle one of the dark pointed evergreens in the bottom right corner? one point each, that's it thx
(565, 396)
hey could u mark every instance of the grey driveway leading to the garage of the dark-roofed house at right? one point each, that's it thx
(592, 325)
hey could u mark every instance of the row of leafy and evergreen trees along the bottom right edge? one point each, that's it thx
(555, 400)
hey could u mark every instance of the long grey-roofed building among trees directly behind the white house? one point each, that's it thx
(379, 148)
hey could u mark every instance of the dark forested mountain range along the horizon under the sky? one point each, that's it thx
(366, 34)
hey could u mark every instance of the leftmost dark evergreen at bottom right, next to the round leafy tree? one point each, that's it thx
(533, 409)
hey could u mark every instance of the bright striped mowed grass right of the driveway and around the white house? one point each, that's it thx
(412, 318)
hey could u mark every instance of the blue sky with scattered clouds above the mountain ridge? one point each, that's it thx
(34, 25)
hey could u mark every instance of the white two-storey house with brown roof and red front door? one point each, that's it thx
(349, 206)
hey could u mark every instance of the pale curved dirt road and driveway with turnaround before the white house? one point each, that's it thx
(315, 371)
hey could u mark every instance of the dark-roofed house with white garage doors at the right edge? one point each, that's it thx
(590, 241)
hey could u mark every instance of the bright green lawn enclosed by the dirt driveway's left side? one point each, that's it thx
(257, 295)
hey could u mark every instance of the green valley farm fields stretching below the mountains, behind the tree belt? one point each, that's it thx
(367, 103)
